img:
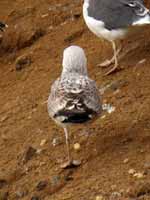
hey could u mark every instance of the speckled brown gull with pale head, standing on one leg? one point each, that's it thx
(74, 97)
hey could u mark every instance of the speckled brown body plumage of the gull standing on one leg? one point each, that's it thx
(73, 95)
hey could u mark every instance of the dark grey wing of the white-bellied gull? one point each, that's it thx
(117, 14)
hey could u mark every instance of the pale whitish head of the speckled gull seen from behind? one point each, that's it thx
(74, 61)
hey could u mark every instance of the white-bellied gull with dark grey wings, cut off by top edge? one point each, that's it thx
(112, 20)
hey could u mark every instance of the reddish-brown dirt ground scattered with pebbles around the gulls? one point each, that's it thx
(39, 31)
